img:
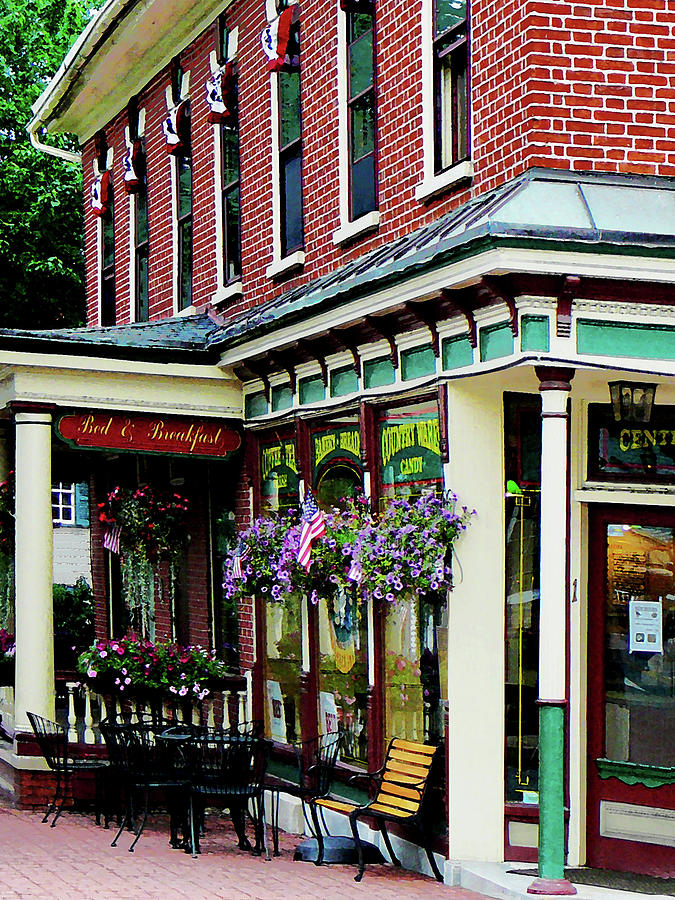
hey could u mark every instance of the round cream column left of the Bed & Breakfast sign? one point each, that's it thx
(34, 607)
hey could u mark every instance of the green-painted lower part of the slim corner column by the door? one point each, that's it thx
(551, 792)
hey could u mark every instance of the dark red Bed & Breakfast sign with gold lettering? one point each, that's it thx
(140, 433)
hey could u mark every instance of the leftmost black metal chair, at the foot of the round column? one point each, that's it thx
(53, 742)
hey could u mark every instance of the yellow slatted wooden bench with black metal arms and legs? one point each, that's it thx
(400, 789)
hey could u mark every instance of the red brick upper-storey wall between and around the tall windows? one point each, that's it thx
(562, 84)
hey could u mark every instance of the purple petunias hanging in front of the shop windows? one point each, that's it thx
(404, 551)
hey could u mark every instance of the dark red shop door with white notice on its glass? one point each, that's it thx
(631, 690)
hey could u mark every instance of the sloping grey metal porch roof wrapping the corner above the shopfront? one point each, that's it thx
(584, 211)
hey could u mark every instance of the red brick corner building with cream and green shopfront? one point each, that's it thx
(383, 217)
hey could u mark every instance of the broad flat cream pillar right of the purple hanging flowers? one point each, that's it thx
(476, 625)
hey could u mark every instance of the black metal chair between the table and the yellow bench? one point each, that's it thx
(316, 760)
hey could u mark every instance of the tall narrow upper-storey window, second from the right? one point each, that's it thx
(361, 125)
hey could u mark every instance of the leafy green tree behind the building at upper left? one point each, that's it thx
(41, 216)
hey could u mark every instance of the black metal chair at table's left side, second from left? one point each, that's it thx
(147, 764)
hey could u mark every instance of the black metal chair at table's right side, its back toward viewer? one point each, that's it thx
(229, 767)
